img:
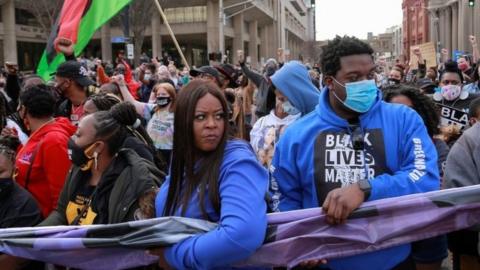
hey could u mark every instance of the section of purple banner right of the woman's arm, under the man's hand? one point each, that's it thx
(303, 235)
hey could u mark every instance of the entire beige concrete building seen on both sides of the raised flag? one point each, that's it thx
(203, 28)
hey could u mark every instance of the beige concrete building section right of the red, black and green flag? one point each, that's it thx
(258, 27)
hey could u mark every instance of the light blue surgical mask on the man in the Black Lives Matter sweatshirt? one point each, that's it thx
(361, 95)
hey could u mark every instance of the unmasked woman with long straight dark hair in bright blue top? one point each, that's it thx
(211, 178)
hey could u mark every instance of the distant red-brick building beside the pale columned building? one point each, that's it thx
(415, 26)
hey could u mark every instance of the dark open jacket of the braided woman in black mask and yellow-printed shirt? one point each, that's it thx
(128, 177)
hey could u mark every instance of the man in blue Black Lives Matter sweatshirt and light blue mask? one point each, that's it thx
(354, 148)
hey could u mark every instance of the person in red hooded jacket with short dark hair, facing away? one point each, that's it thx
(42, 164)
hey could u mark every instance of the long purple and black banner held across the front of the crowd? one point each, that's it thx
(293, 237)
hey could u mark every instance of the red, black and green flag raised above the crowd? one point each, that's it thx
(77, 21)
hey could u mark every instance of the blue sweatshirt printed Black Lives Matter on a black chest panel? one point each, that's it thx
(315, 155)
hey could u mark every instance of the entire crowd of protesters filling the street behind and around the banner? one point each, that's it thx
(105, 143)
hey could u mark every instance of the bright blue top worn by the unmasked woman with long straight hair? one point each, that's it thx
(242, 225)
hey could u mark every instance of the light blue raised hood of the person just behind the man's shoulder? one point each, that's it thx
(295, 83)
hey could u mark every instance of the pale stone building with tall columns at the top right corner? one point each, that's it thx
(452, 21)
